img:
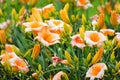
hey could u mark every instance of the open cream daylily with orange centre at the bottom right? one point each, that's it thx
(96, 71)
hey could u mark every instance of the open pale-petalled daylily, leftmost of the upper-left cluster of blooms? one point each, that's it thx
(34, 26)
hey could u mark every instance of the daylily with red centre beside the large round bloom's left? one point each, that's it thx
(77, 41)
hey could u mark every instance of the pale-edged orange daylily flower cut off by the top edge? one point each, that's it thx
(84, 3)
